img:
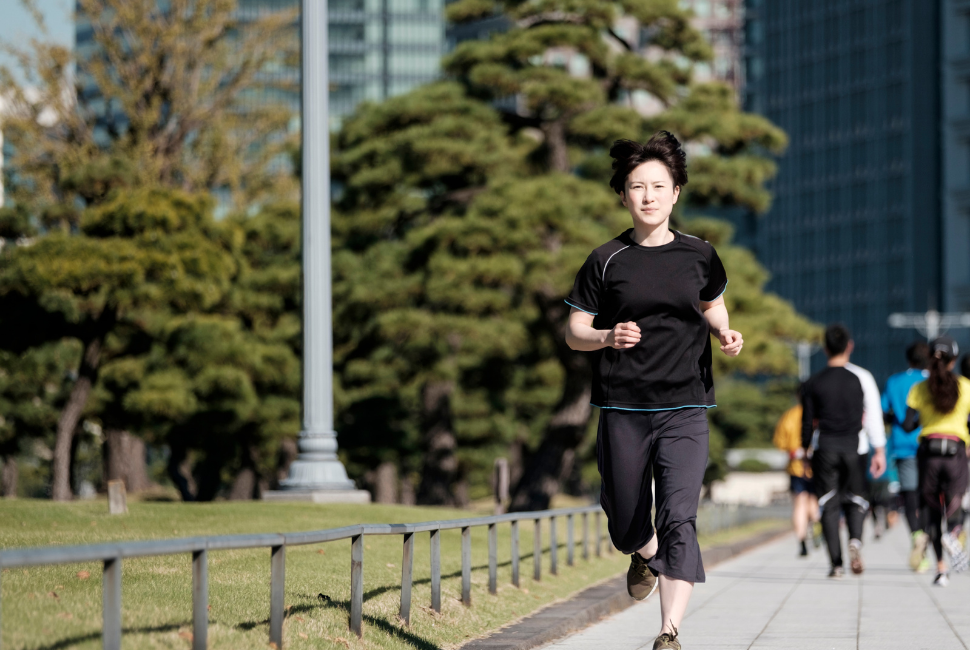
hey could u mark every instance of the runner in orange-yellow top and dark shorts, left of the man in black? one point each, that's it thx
(788, 437)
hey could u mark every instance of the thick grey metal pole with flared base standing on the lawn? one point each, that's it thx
(317, 467)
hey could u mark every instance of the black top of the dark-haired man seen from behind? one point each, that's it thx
(834, 397)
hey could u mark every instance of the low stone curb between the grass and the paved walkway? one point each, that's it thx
(593, 603)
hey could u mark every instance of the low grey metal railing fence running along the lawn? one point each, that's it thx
(111, 554)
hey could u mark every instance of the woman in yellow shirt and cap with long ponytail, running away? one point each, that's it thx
(941, 405)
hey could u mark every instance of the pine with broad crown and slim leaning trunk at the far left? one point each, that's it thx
(138, 252)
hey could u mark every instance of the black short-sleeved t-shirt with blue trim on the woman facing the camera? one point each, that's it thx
(658, 288)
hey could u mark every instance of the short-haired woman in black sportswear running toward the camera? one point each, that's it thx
(646, 303)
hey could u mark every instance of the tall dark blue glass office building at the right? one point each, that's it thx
(855, 231)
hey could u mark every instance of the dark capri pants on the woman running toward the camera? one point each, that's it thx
(636, 448)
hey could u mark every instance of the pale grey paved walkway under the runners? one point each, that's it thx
(770, 598)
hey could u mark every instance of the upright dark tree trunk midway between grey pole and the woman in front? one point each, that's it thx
(439, 475)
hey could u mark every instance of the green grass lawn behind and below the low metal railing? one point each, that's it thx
(60, 606)
